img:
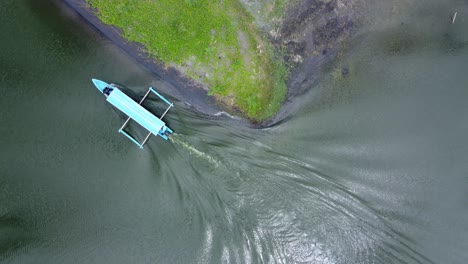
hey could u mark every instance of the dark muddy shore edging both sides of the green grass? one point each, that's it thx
(311, 34)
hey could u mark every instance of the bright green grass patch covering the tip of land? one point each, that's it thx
(215, 43)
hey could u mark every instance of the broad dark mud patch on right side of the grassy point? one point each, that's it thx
(313, 33)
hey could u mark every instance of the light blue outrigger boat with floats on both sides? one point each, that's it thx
(135, 111)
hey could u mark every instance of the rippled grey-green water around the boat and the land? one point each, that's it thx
(371, 169)
